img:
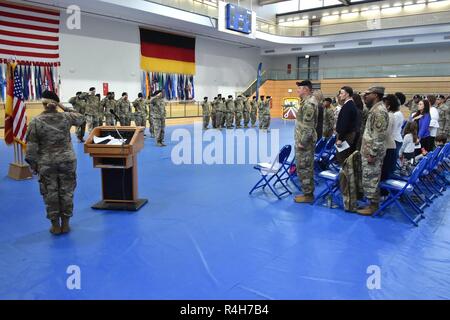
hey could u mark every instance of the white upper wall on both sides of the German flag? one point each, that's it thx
(107, 50)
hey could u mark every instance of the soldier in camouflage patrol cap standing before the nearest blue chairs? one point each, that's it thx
(373, 147)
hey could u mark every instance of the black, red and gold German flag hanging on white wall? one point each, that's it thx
(167, 53)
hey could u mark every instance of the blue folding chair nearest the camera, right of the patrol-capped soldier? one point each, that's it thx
(398, 189)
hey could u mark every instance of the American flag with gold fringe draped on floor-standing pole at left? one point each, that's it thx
(15, 115)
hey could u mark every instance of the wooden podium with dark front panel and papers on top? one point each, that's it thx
(118, 164)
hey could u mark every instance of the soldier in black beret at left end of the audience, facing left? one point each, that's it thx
(305, 140)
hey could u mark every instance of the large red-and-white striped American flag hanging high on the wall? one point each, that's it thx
(29, 33)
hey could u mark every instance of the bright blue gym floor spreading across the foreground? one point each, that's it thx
(201, 236)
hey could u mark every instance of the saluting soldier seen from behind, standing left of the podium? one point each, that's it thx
(50, 154)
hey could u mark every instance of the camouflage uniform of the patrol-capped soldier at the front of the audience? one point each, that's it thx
(374, 145)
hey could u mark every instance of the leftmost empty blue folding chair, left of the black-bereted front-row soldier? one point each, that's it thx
(270, 171)
